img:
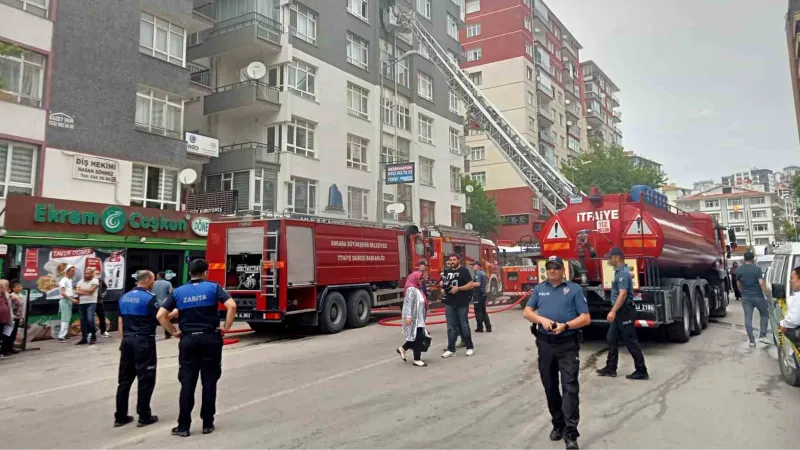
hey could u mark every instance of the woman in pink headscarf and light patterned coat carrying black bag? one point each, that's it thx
(415, 306)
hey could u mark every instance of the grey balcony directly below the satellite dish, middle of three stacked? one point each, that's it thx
(242, 99)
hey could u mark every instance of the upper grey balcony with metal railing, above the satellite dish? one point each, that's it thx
(248, 36)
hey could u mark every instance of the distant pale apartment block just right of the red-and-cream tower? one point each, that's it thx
(602, 116)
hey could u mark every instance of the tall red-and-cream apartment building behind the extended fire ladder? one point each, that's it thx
(526, 62)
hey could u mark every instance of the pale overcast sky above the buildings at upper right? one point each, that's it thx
(705, 87)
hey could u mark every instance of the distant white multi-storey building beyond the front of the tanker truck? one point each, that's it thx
(754, 215)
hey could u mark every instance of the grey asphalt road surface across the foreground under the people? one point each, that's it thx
(352, 391)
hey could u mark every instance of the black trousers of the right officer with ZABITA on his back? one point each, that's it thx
(200, 355)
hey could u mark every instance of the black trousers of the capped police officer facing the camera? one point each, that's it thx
(558, 355)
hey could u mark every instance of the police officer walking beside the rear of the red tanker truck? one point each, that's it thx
(621, 318)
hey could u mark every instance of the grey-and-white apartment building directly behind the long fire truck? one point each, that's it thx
(312, 134)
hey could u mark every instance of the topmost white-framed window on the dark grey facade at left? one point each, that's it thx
(161, 39)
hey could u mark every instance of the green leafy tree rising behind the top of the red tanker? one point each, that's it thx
(611, 170)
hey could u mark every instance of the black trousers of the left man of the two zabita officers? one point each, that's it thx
(137, 360)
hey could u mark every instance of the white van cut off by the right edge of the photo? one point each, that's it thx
(785, 259)
